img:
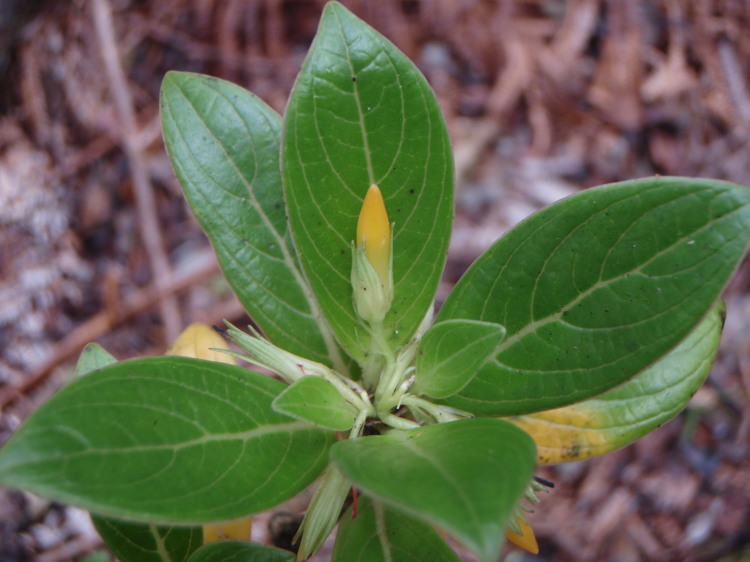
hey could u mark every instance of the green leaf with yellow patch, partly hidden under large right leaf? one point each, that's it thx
(630, 411)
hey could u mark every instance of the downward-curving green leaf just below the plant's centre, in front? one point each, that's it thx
(464, 476)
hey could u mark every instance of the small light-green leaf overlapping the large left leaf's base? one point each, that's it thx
(315, 400)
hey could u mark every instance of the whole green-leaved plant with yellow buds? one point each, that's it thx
(582, 329)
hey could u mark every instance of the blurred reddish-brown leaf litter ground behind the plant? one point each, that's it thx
(542, 97)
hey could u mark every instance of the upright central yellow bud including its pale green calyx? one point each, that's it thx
(372, 277)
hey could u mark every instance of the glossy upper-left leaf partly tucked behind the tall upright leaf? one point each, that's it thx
(224, 146)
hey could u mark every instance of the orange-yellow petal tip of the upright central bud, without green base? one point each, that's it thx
(374, 233)
